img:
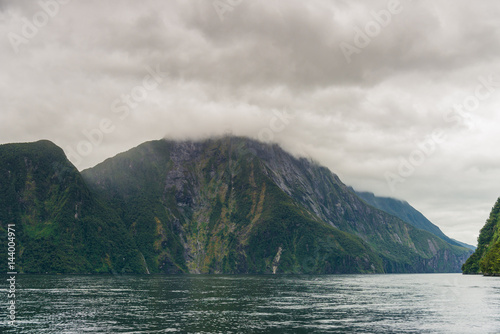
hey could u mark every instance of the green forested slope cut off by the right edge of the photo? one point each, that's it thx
(486, 258)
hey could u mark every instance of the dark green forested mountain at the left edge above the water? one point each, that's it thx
(60, 226)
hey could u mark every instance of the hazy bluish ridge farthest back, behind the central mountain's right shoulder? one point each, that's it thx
(409, 214)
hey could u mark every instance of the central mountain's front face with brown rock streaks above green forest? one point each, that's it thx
(208, 208)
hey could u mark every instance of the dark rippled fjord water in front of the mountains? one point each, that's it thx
(431, 303)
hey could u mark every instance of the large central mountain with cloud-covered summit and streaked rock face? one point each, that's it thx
(234, 205)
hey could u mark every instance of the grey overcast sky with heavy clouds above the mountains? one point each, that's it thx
(396, 97)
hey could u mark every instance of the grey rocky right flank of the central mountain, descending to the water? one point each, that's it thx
(403, 248)
